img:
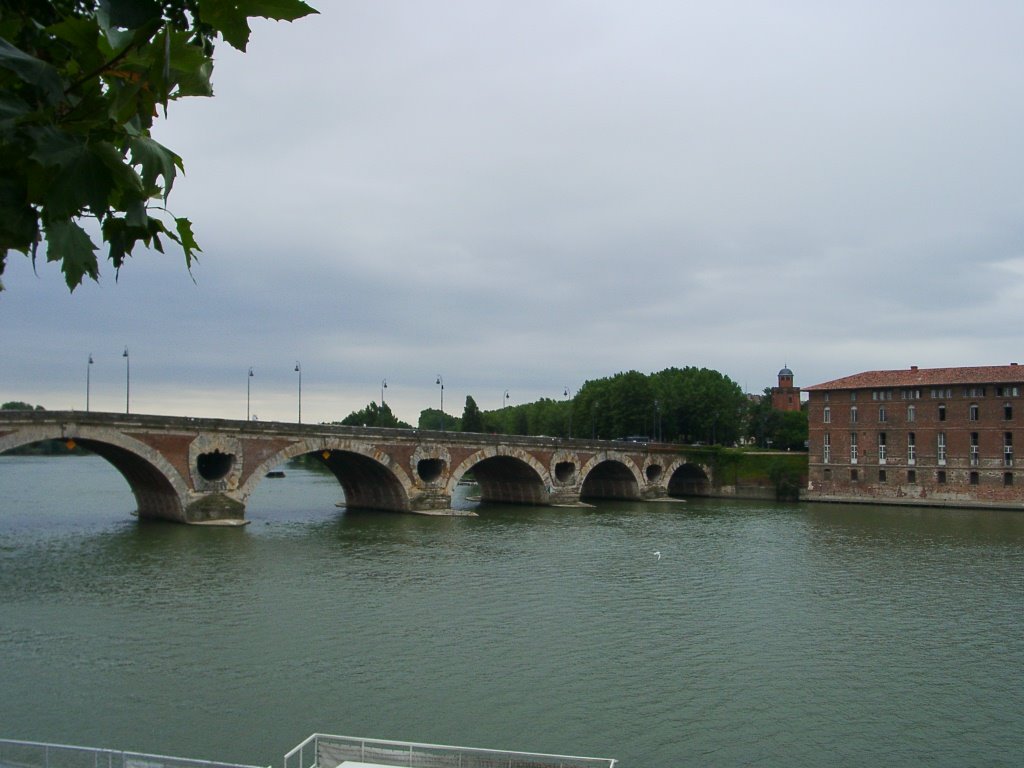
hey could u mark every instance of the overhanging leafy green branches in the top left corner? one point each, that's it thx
(81, 82)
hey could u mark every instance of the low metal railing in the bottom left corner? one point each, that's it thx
(35, 755)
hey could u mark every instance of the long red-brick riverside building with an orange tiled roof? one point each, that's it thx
(932, 437)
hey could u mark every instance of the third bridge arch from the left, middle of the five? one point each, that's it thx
(506, 475)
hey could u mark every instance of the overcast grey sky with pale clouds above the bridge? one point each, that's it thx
(523, 196)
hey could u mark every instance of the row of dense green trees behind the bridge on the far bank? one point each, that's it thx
(690, 405)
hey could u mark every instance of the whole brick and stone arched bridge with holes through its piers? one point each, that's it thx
(203, 471)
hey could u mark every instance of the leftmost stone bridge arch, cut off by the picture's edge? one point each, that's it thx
(159, 490)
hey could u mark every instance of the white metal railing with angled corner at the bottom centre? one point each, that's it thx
(321, 751)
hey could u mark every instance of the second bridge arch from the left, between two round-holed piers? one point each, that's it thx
(369, 478)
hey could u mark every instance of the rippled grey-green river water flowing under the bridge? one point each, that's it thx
(766, 634)
